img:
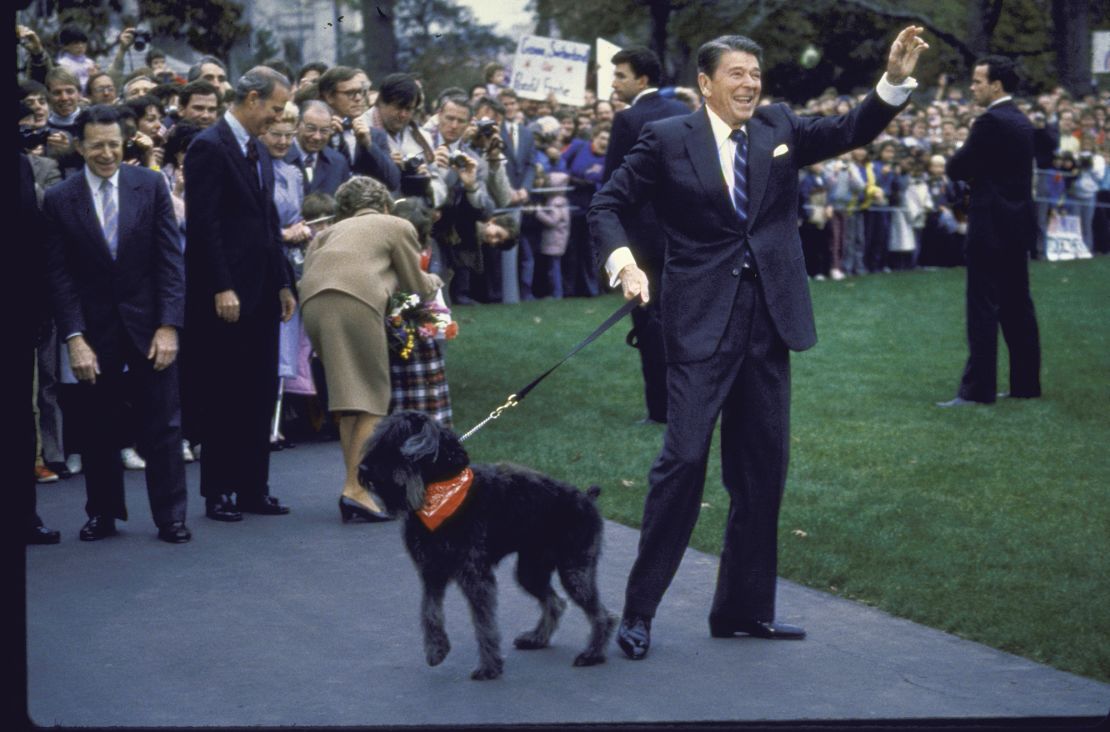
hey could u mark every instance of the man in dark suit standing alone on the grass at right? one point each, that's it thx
(998, 162)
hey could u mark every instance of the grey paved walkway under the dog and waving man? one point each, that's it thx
(301, 620)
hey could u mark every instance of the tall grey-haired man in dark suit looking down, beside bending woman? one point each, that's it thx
(239, 288)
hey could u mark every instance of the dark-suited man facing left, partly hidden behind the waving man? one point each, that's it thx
(635, 79)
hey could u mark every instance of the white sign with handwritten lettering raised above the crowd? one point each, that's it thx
(550, 66)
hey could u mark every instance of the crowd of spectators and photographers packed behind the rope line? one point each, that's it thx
(510, 179)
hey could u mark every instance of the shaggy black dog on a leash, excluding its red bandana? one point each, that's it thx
(550, 525)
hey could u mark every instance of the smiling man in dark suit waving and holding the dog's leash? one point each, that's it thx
(724, 184)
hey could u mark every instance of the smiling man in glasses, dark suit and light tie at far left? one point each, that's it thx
(117, 278)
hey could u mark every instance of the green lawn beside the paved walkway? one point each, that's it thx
(990, 523)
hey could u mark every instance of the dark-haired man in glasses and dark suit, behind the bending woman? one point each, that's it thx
(366, 149)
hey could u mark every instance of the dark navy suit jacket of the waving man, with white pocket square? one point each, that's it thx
(674, 167)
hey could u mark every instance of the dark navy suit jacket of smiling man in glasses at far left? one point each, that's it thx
(142, 289)
